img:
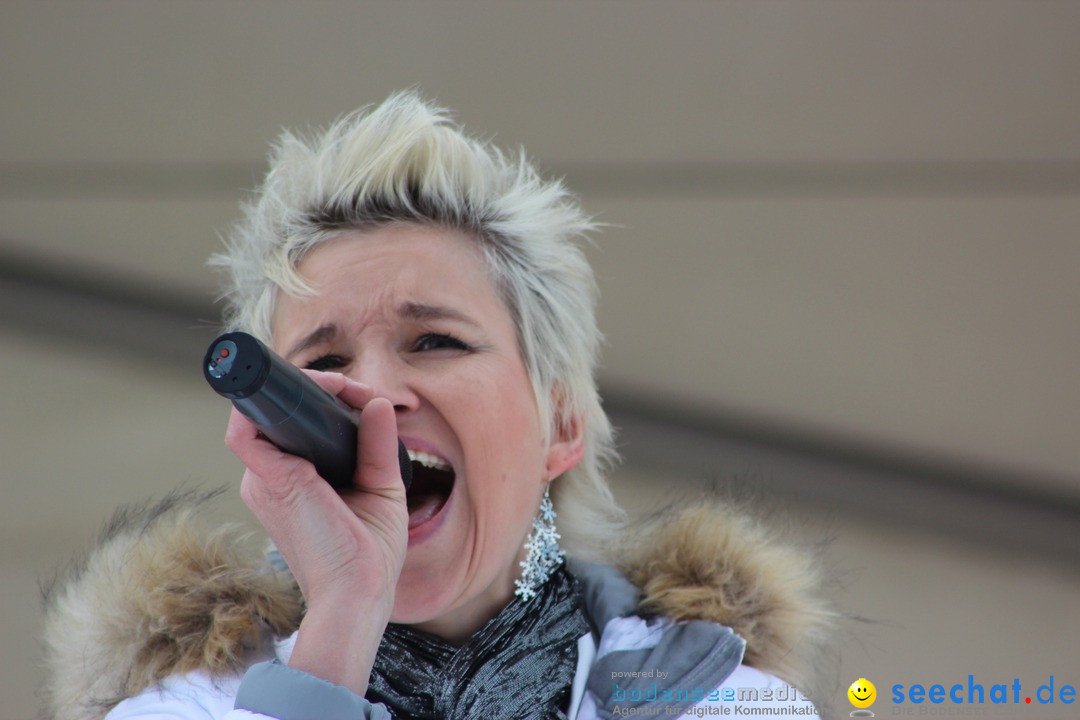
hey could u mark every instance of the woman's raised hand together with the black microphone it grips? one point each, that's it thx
(345, 552)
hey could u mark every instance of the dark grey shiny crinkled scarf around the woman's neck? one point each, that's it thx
(520, 665)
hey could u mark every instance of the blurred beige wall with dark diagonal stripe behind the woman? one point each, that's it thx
(842, 270)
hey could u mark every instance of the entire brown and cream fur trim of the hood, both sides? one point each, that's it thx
(164, 594)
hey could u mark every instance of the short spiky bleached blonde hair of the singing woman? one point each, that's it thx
(406, 162)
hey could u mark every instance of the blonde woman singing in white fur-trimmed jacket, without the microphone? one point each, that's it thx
(437, 284)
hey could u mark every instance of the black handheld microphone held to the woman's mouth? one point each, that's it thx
(289, 407)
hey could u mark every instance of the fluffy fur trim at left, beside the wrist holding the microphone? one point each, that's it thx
(159, 595)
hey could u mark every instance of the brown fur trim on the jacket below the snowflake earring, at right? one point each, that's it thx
(713, 563)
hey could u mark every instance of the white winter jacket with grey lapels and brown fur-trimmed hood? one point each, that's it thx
(167, 620)
